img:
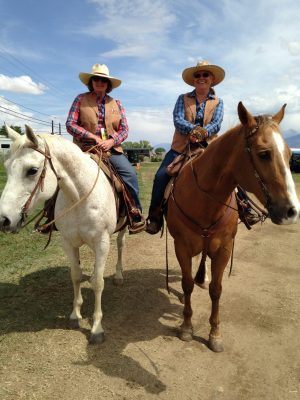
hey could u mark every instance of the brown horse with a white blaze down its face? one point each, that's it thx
(202, 215)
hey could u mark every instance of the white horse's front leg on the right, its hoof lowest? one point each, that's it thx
(97, 283)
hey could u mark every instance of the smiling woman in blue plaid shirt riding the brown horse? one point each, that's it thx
(197, 119)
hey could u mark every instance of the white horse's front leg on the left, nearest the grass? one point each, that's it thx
(76, 276)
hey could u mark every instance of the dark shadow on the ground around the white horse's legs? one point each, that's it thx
(131, 314)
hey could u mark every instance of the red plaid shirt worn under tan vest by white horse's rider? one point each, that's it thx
(79, 133)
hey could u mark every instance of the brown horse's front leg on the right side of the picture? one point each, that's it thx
(218, 265)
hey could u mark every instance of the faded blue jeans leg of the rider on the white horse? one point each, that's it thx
(128, 175)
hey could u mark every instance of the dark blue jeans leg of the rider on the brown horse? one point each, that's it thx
(161, 180)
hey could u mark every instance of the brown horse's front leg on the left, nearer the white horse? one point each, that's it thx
(187, 282)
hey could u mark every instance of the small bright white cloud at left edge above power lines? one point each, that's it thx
(21, 84)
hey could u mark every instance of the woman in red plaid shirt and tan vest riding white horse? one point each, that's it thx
(95, 118)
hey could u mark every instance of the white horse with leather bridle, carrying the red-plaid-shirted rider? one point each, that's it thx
(36, 166)
